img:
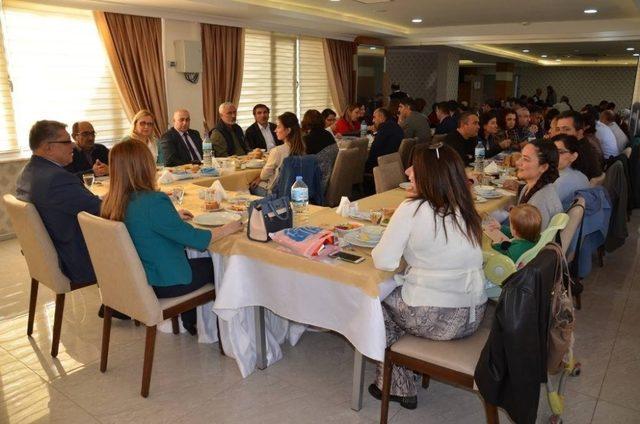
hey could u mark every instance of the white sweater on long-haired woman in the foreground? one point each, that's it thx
(444, 271)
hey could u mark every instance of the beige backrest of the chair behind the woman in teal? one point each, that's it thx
(122, 280)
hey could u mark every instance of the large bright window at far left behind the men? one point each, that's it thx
(59, 70)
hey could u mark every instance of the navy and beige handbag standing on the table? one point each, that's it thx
(268, 215)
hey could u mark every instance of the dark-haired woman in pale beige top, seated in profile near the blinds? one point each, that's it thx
(287, 130)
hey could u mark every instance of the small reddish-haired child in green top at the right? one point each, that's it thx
(525, 221)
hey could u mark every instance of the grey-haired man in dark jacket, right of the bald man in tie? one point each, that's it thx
(227, 137)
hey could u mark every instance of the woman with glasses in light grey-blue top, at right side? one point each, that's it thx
(570, 178)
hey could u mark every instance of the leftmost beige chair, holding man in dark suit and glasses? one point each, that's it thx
(42, 261)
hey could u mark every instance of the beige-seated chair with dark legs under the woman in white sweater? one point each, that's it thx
(451, 361)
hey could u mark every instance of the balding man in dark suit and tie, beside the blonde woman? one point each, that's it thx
(180, 144)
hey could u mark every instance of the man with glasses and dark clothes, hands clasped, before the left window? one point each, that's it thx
(87, 155)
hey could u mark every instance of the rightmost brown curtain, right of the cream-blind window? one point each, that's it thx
(339, 56)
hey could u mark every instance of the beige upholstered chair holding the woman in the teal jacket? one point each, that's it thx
(124, 287)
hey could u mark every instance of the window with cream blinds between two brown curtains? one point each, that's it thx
(285, 73)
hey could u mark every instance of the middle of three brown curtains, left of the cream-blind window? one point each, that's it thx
(222, 64)
